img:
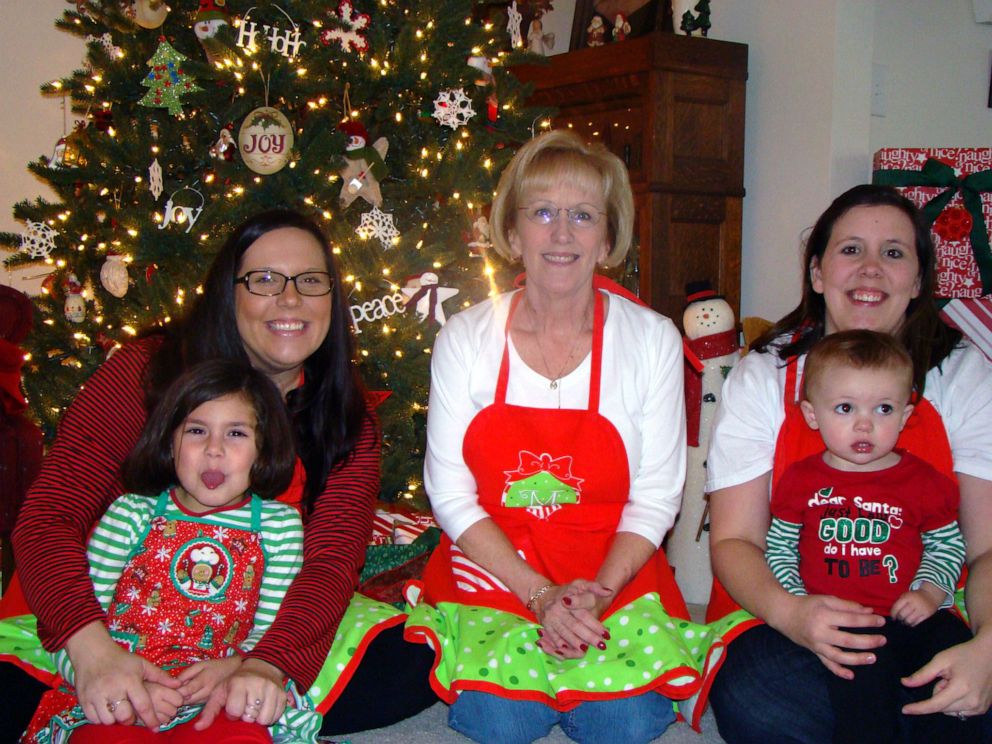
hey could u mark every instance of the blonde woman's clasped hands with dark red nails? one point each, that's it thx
(569, 616)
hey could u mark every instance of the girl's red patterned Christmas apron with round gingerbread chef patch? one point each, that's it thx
(188, 592)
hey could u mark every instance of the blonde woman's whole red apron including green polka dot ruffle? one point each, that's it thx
(555, 481)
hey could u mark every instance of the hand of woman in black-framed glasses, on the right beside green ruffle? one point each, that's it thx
(254, 693)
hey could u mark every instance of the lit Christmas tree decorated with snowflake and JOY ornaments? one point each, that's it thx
(388, 121)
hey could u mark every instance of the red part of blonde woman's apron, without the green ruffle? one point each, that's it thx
(555, 481)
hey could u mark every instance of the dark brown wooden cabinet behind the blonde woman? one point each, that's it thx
(672, 107)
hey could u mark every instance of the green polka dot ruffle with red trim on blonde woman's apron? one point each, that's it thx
(495, 651)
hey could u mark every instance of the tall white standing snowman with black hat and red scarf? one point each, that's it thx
(711, 336)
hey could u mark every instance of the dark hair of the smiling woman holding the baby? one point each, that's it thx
(927, 339)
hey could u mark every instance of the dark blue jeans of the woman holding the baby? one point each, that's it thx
(771, 691)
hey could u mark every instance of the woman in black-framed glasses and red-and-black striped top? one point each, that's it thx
(272, 299)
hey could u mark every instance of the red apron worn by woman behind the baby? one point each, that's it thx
(924, 436)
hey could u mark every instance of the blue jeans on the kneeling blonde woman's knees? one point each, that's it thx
(490, 719)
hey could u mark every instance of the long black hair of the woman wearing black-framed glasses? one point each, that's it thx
(328, 410)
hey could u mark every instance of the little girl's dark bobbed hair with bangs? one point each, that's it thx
(150, 468)
